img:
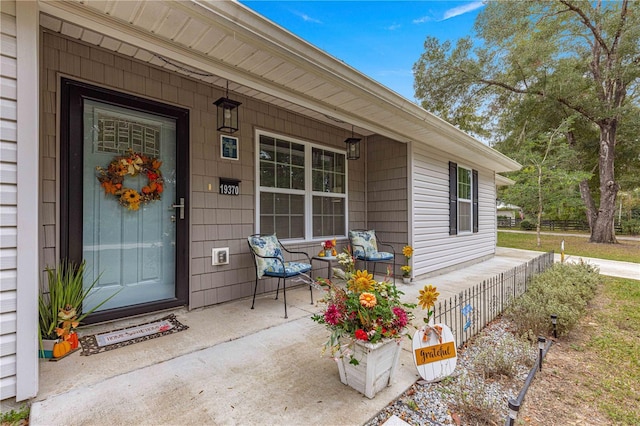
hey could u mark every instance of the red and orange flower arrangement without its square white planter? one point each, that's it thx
(357, 307)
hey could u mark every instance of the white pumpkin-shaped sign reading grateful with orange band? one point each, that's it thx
(434, 352)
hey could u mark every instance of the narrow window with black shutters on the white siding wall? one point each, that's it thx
(463, 199)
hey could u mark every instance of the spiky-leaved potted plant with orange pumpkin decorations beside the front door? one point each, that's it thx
(60, 309)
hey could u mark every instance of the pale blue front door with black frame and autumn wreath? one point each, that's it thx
(124, 169)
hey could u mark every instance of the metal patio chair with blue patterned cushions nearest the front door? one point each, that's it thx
(269, 261)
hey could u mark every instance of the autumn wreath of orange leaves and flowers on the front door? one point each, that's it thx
(133, 164)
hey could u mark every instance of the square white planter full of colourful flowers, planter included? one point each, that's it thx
(366, 321)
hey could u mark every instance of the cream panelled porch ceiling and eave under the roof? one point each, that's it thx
(220, 41)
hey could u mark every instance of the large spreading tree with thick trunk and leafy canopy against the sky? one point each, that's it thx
(554, 58)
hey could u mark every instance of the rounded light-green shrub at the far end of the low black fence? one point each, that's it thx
(563, 290)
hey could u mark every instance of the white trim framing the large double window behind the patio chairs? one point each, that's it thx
(307, 192)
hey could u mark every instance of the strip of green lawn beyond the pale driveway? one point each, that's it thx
(628, 251)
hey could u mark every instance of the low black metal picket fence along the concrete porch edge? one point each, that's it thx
(471, 310)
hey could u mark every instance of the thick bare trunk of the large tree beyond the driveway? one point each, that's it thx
(602, 230)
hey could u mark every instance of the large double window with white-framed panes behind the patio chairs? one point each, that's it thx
(301, 189)
